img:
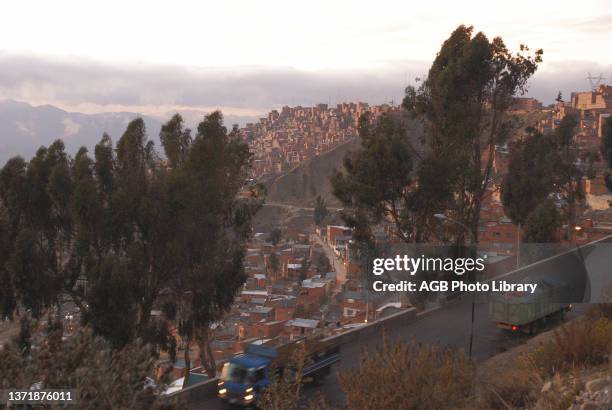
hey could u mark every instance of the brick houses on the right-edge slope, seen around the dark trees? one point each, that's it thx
(591, 108)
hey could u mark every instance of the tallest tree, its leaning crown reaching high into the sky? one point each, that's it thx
(463, 105)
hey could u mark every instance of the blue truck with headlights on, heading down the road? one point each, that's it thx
(245, 376)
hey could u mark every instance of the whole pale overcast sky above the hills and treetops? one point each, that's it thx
(247, 57)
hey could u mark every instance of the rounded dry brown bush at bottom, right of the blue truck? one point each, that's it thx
(410, 376)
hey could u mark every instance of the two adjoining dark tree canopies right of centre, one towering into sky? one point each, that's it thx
(462, 106)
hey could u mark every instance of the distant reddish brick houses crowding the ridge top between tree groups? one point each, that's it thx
(287, 137)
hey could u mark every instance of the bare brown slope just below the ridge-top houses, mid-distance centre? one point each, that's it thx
(311, 178)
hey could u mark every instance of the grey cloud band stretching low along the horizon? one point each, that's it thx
(89, 86)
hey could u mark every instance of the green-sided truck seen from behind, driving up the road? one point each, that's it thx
(528, 312)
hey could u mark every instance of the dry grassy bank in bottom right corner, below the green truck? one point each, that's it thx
(515, 379)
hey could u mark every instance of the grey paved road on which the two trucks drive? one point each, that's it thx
(449, 325)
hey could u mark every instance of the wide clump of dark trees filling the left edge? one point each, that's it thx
(82, 221)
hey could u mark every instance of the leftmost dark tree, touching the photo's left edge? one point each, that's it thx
(36, 199)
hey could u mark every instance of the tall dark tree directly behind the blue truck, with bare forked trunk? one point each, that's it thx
(208, 227)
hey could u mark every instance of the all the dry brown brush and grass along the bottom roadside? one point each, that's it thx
(414, 376)
